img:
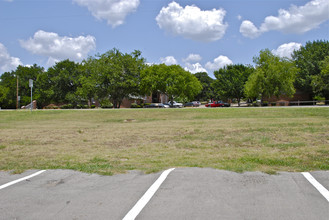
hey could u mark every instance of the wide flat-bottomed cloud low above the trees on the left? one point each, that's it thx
(58, 48)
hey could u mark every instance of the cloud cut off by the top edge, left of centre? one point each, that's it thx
(113, 11)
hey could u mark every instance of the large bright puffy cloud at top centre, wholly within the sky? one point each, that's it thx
(192, 23)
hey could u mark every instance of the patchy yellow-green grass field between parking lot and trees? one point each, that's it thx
(115, 141)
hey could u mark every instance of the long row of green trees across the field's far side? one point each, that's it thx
(113, 76)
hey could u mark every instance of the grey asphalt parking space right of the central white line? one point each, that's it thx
(211, 194)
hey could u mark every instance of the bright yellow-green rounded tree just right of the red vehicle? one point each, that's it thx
(273, 76)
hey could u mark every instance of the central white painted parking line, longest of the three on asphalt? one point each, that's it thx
(132, 214)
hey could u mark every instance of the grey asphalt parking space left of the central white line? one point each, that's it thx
(63, 194)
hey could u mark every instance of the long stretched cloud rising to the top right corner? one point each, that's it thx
(296, 20)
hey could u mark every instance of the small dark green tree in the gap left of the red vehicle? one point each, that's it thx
(207, 91)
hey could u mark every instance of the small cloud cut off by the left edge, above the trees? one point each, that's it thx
(7, 63)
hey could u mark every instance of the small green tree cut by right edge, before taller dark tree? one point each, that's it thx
(320, 82)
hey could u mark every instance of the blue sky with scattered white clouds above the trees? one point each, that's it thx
(199, 35)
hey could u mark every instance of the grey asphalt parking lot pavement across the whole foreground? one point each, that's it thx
(184, 193)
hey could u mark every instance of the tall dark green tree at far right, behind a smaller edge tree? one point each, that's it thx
(308, 60)
